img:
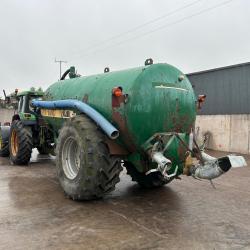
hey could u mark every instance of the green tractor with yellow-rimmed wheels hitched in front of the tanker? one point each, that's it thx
(26, 132)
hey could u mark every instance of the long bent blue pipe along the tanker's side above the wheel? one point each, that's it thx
(106, 126)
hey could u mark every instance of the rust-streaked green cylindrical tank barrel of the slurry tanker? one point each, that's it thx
(155, 98)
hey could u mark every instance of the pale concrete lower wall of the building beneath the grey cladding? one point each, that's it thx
(229, 133)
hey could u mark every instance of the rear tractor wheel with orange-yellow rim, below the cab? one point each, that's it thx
(20, 143)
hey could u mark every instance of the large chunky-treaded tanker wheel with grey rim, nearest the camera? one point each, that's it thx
(85, 168)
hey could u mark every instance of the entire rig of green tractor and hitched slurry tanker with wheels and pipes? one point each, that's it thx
(140, 118)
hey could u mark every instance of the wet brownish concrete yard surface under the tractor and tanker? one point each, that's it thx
(186, 214)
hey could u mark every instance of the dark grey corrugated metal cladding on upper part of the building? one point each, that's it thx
(227, 89)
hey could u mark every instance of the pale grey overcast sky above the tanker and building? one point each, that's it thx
(92, 34)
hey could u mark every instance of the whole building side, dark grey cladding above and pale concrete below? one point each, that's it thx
(225, 115)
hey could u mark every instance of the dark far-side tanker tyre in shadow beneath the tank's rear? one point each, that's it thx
(152, 180)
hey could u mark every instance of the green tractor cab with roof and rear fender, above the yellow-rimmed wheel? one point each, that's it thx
(25, 111)
